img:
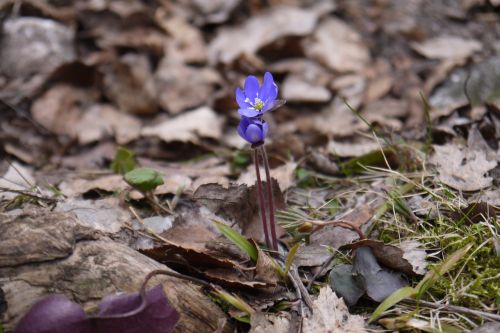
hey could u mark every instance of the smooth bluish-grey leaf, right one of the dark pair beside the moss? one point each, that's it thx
(377, 281)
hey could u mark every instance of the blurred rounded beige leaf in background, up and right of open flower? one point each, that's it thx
(338, 46)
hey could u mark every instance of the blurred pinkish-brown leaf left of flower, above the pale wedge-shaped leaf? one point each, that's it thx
(180, 87)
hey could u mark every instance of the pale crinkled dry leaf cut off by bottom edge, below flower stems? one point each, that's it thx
(330, 314)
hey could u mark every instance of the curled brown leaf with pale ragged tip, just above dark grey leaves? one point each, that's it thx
(409, 258)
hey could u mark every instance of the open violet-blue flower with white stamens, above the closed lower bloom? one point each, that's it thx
(255, 99)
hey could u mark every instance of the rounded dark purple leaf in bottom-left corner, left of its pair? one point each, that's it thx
(54, 314)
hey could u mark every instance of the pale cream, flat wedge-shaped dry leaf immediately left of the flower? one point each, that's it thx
(188, 127)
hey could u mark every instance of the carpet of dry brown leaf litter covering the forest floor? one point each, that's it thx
(376, 197)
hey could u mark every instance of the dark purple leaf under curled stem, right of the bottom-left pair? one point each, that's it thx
(158, 316)
